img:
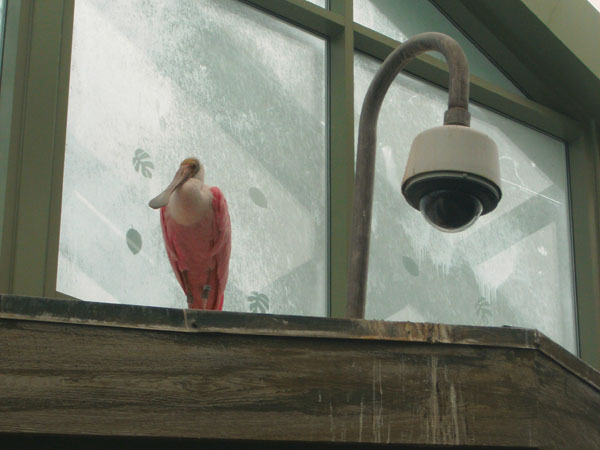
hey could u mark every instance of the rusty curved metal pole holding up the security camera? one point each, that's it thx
(457, 114)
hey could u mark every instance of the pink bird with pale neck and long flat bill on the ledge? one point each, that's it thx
(197, 233)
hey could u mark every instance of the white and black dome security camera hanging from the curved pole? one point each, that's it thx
(452, 176)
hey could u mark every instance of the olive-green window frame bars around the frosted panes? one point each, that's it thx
(33, 110)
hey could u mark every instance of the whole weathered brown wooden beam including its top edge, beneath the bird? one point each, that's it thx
(83, 369)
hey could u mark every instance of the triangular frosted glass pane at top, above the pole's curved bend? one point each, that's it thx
(401, 19)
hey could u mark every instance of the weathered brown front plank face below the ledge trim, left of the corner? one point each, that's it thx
(73, 379)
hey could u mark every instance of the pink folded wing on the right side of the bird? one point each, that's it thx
(222, 245)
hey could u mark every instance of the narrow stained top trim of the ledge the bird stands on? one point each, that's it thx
(195, 321)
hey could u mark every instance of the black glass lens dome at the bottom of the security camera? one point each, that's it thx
(450, 210)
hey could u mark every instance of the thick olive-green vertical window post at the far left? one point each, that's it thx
(33, 153)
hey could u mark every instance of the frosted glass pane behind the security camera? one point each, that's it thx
(513, 267)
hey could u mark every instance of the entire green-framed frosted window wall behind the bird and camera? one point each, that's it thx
(273, 85)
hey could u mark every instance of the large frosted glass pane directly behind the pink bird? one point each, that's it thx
(155, 81)
